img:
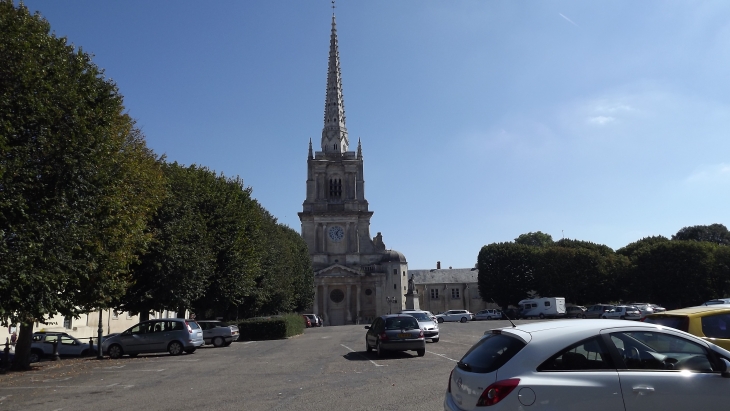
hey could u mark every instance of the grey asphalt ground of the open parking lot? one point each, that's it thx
(326, 368)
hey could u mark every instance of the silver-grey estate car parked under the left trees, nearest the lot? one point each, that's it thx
(173, 335)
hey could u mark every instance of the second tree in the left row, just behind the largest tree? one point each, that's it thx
(176, 270)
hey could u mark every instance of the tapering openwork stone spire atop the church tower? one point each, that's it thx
(334, 133)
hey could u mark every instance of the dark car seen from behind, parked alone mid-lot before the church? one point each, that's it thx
(395, 332)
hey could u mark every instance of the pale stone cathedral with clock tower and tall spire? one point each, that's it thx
(355, 277)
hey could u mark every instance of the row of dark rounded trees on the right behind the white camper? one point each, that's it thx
(674, 272)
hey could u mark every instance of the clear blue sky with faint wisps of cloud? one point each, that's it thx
(480, 120)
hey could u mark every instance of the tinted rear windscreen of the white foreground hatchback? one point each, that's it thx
(490, 353)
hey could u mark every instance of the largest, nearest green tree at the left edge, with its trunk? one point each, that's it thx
(77, 183)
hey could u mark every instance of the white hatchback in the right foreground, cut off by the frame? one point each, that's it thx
(597, 365)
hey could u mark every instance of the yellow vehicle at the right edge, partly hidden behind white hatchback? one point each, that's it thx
(711, 323)
